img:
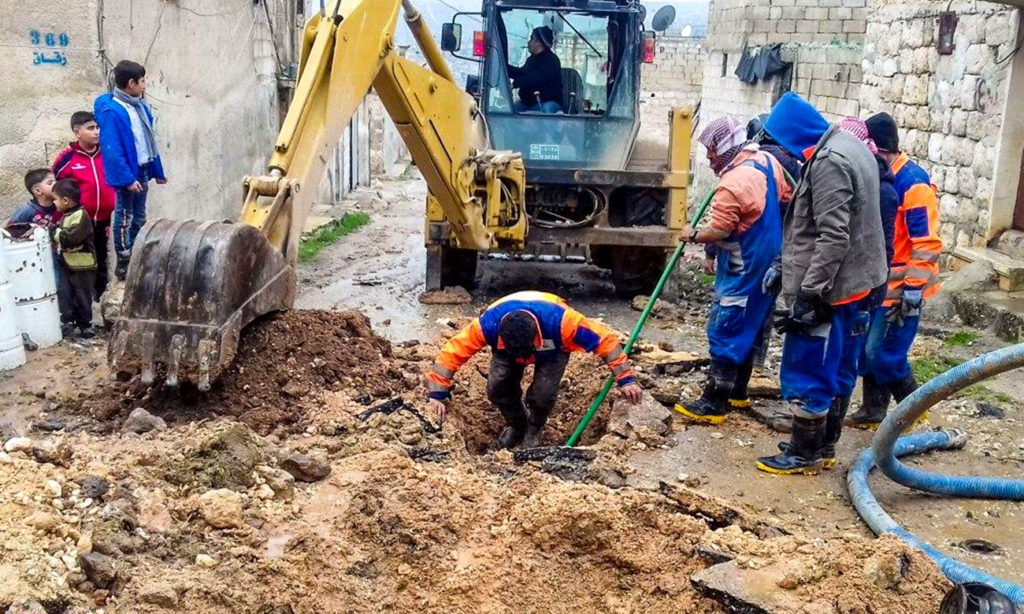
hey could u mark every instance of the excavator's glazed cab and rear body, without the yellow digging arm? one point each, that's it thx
(596, 191)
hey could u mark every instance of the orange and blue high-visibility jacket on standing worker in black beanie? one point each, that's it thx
(917, 246)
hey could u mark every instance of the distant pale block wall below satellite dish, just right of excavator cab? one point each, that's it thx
(674, 79)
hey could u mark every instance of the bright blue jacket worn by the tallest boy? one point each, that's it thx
(118, 144)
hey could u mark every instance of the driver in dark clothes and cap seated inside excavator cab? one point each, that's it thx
(540, 80)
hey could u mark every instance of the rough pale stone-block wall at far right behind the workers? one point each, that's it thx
(950, 108)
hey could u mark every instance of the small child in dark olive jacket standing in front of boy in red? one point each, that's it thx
(78, 257)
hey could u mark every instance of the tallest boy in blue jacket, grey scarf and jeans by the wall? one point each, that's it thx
(131, 154)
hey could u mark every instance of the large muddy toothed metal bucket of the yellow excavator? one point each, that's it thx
(192, 288)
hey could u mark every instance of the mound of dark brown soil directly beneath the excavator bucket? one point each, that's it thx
(285, 363)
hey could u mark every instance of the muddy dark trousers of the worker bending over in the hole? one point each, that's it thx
(505, 389)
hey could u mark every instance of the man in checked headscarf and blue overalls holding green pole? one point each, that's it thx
(746, 227)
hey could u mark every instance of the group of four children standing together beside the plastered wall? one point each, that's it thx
(97, 188)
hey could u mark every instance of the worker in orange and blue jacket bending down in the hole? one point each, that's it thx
(523, 329)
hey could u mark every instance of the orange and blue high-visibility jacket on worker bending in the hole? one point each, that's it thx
(562, 330)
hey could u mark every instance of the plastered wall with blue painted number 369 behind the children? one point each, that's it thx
(212, 83)
